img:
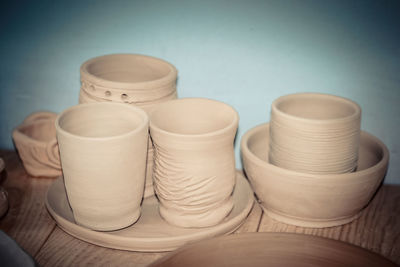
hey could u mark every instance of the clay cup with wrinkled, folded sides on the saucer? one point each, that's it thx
(194, 172)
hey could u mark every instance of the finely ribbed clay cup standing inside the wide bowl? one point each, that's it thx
(314, 133)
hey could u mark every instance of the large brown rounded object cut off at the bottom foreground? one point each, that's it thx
(272, 249)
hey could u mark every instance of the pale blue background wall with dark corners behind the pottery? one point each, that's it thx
(245, 53)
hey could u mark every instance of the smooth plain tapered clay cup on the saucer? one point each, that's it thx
(103, 149)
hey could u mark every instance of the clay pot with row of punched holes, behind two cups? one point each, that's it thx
(129, 78)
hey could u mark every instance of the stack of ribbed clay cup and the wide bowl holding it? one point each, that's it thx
(312, 166)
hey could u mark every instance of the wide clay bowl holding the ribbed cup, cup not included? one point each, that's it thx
(312, 200)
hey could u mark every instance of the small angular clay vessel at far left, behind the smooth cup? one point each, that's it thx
(35, 140)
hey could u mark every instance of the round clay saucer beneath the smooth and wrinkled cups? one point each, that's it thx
(150, 233)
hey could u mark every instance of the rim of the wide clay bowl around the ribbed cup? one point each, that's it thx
(301, 175)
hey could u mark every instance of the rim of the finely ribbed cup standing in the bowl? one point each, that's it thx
(347, 101)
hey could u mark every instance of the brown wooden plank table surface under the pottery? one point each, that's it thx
(29, 223)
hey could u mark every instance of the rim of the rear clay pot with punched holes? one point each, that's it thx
(144, 85)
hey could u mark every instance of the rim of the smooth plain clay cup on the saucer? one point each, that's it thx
(139, 111)
